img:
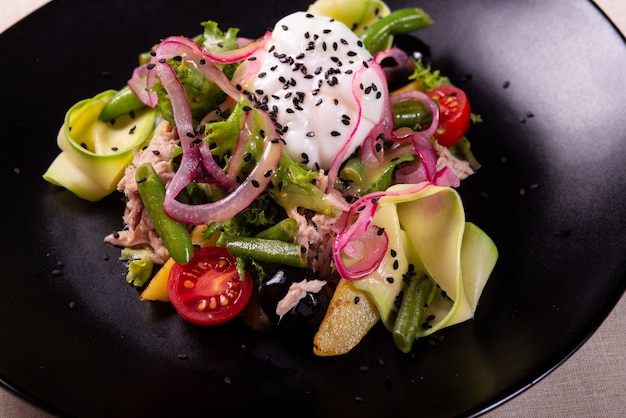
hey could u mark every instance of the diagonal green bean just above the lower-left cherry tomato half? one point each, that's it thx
(174, 234)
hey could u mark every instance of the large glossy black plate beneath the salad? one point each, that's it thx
(550, 193)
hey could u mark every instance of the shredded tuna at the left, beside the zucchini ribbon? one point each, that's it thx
(139, 230)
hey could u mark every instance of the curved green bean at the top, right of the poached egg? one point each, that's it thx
(377, 36)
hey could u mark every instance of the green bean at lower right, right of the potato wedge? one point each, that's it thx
(409, 317)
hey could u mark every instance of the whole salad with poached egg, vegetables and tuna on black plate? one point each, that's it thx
(303, 179)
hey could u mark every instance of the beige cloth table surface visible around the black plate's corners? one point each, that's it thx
(592, 383)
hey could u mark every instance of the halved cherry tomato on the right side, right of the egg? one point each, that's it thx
(454, 114)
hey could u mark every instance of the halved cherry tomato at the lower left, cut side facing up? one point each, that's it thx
(208, 290)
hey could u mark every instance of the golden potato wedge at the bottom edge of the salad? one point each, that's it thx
(349, 317)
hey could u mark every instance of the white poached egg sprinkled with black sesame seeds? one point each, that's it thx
(315, 80)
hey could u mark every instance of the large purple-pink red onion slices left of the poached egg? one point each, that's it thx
(196, 153)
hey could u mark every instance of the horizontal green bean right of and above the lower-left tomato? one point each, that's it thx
(268, 250)
